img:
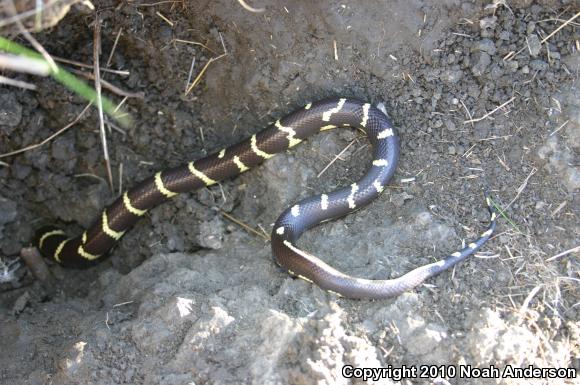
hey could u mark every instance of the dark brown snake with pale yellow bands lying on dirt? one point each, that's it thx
(96, 241)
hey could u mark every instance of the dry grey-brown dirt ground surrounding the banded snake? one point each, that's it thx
(483, 95)
